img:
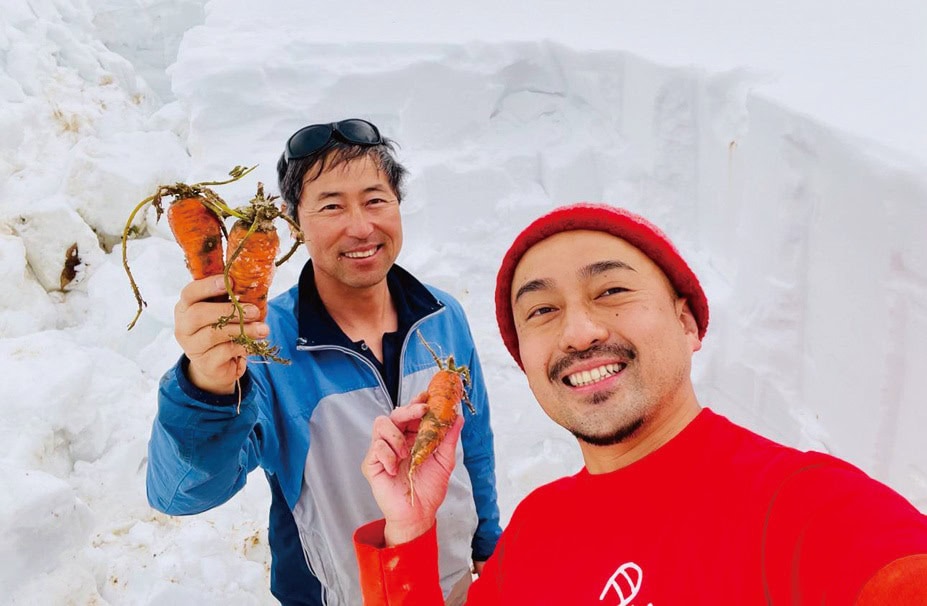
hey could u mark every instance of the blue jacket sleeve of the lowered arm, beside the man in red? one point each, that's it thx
(480, 461)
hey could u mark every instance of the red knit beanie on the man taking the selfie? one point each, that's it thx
(634, 229)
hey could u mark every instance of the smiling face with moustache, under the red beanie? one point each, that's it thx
(605, 341)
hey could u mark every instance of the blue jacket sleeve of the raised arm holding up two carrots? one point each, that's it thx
(201, 447)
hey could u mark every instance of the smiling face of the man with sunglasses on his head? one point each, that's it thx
(350, 218)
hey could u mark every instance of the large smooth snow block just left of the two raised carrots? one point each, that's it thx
(108, 177)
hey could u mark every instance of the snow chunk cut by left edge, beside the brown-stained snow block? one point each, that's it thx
(24, 305)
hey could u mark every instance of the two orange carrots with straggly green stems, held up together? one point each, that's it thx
(196, 215)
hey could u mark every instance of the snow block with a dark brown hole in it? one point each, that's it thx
(61, 249)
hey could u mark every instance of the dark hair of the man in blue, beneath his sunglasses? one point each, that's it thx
(290, 174)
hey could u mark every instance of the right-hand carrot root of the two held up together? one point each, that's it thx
(251, 255)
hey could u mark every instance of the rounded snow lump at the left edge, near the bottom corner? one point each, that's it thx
(42, 518)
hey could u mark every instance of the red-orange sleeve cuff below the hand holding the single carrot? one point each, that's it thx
(402, 575)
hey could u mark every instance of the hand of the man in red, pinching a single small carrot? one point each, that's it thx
(386, 468)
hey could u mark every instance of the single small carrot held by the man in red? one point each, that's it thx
(445, 391)
